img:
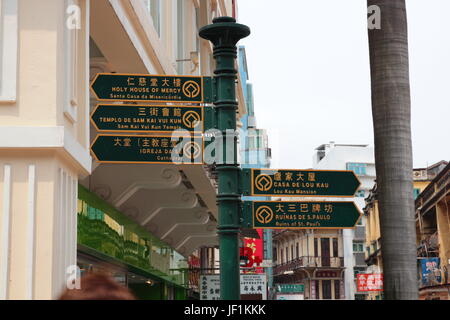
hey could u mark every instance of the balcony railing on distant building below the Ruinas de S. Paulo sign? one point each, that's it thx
(309, 262)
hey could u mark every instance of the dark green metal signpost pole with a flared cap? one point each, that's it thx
(224, 33)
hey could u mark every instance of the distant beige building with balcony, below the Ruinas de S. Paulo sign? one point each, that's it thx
(311, 261)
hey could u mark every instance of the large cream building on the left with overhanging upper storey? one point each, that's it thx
(63, 213)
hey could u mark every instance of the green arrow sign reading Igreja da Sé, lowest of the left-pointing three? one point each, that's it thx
(148, 149)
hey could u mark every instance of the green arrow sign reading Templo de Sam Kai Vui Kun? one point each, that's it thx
(139, 118)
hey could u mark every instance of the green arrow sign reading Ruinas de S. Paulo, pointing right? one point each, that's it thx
(300, 215)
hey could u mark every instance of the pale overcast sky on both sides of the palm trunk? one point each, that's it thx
(309, 65)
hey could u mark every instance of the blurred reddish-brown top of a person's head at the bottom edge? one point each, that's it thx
(95, 286)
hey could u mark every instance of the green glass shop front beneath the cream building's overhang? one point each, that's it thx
(111, 243)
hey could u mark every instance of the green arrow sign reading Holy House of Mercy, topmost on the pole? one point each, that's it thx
(146, 87)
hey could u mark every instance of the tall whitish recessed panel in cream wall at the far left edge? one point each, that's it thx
(8, 50)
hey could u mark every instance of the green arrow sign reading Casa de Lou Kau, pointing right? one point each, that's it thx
(298, 183)
